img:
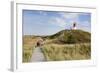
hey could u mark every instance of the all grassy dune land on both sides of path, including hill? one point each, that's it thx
(64, 45)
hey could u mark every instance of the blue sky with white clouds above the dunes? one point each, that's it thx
(37, 22)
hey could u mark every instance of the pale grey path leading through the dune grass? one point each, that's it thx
(37, 55)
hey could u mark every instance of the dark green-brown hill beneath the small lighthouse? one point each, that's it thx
(70, 37)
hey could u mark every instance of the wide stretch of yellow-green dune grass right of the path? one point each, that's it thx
(54, 52)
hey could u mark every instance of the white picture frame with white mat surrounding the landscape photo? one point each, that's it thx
(16, 36)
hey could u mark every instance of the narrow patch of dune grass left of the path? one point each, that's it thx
(28, 48)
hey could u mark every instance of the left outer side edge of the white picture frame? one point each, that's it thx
(13, 37)
